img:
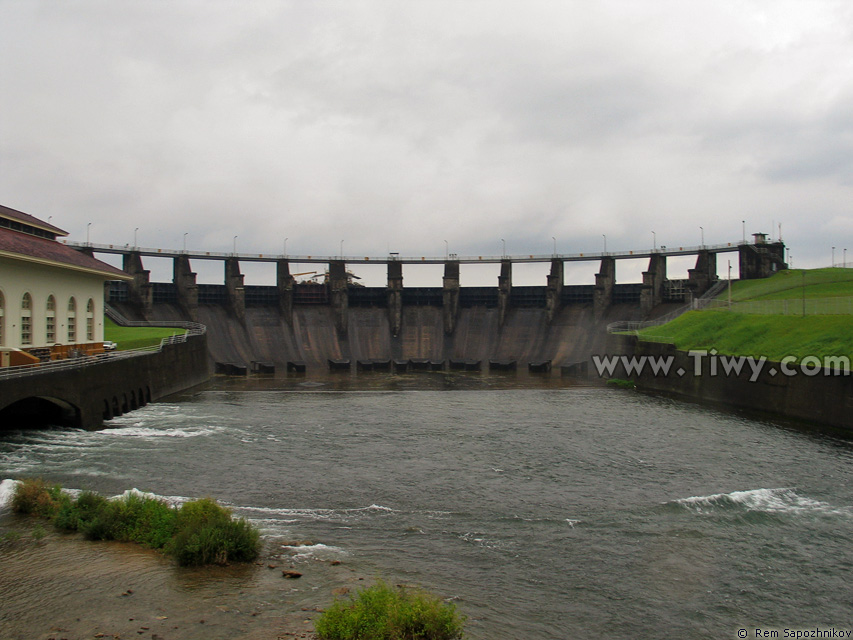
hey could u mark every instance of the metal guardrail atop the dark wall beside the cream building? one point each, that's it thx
(190, 329)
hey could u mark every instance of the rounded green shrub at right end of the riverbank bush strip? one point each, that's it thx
(207, 534)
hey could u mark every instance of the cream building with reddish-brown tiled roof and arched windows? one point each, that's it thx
(51, 296)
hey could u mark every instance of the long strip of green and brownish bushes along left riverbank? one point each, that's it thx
(196, 533)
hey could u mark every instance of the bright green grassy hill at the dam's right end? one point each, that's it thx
(787, 332)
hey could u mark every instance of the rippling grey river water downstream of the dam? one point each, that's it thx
(544, 513)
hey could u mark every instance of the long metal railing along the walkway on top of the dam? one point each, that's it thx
(452, 257)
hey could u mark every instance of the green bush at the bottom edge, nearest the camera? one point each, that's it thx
(384, 613)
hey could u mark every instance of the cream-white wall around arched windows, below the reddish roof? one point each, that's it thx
(40, 281)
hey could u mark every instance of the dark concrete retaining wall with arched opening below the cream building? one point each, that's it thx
(87, 395)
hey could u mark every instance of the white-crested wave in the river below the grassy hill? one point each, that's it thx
(784, 500)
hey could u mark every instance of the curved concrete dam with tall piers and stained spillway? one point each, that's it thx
(337, 323)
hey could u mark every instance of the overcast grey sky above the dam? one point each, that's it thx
(422, 127)
